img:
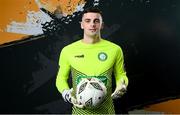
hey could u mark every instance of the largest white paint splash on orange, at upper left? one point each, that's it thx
(32, 26)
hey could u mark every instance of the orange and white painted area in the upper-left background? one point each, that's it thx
(25, 17)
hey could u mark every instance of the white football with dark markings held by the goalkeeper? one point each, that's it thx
(90, 92)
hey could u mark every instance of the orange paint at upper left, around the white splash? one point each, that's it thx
(16, 10)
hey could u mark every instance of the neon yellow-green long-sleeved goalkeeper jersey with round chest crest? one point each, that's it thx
(92, 60)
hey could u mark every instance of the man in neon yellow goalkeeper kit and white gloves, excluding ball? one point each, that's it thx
(90, 57)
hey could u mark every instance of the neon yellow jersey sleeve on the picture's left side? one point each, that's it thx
(63, 73)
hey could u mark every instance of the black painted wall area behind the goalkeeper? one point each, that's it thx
(147, 31)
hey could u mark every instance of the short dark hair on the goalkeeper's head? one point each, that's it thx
(93, 10)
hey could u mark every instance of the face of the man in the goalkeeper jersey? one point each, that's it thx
(91, 23)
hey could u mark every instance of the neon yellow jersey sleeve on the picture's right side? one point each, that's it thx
(119, 71)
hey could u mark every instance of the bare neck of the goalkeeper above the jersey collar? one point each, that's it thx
(91, 40)
